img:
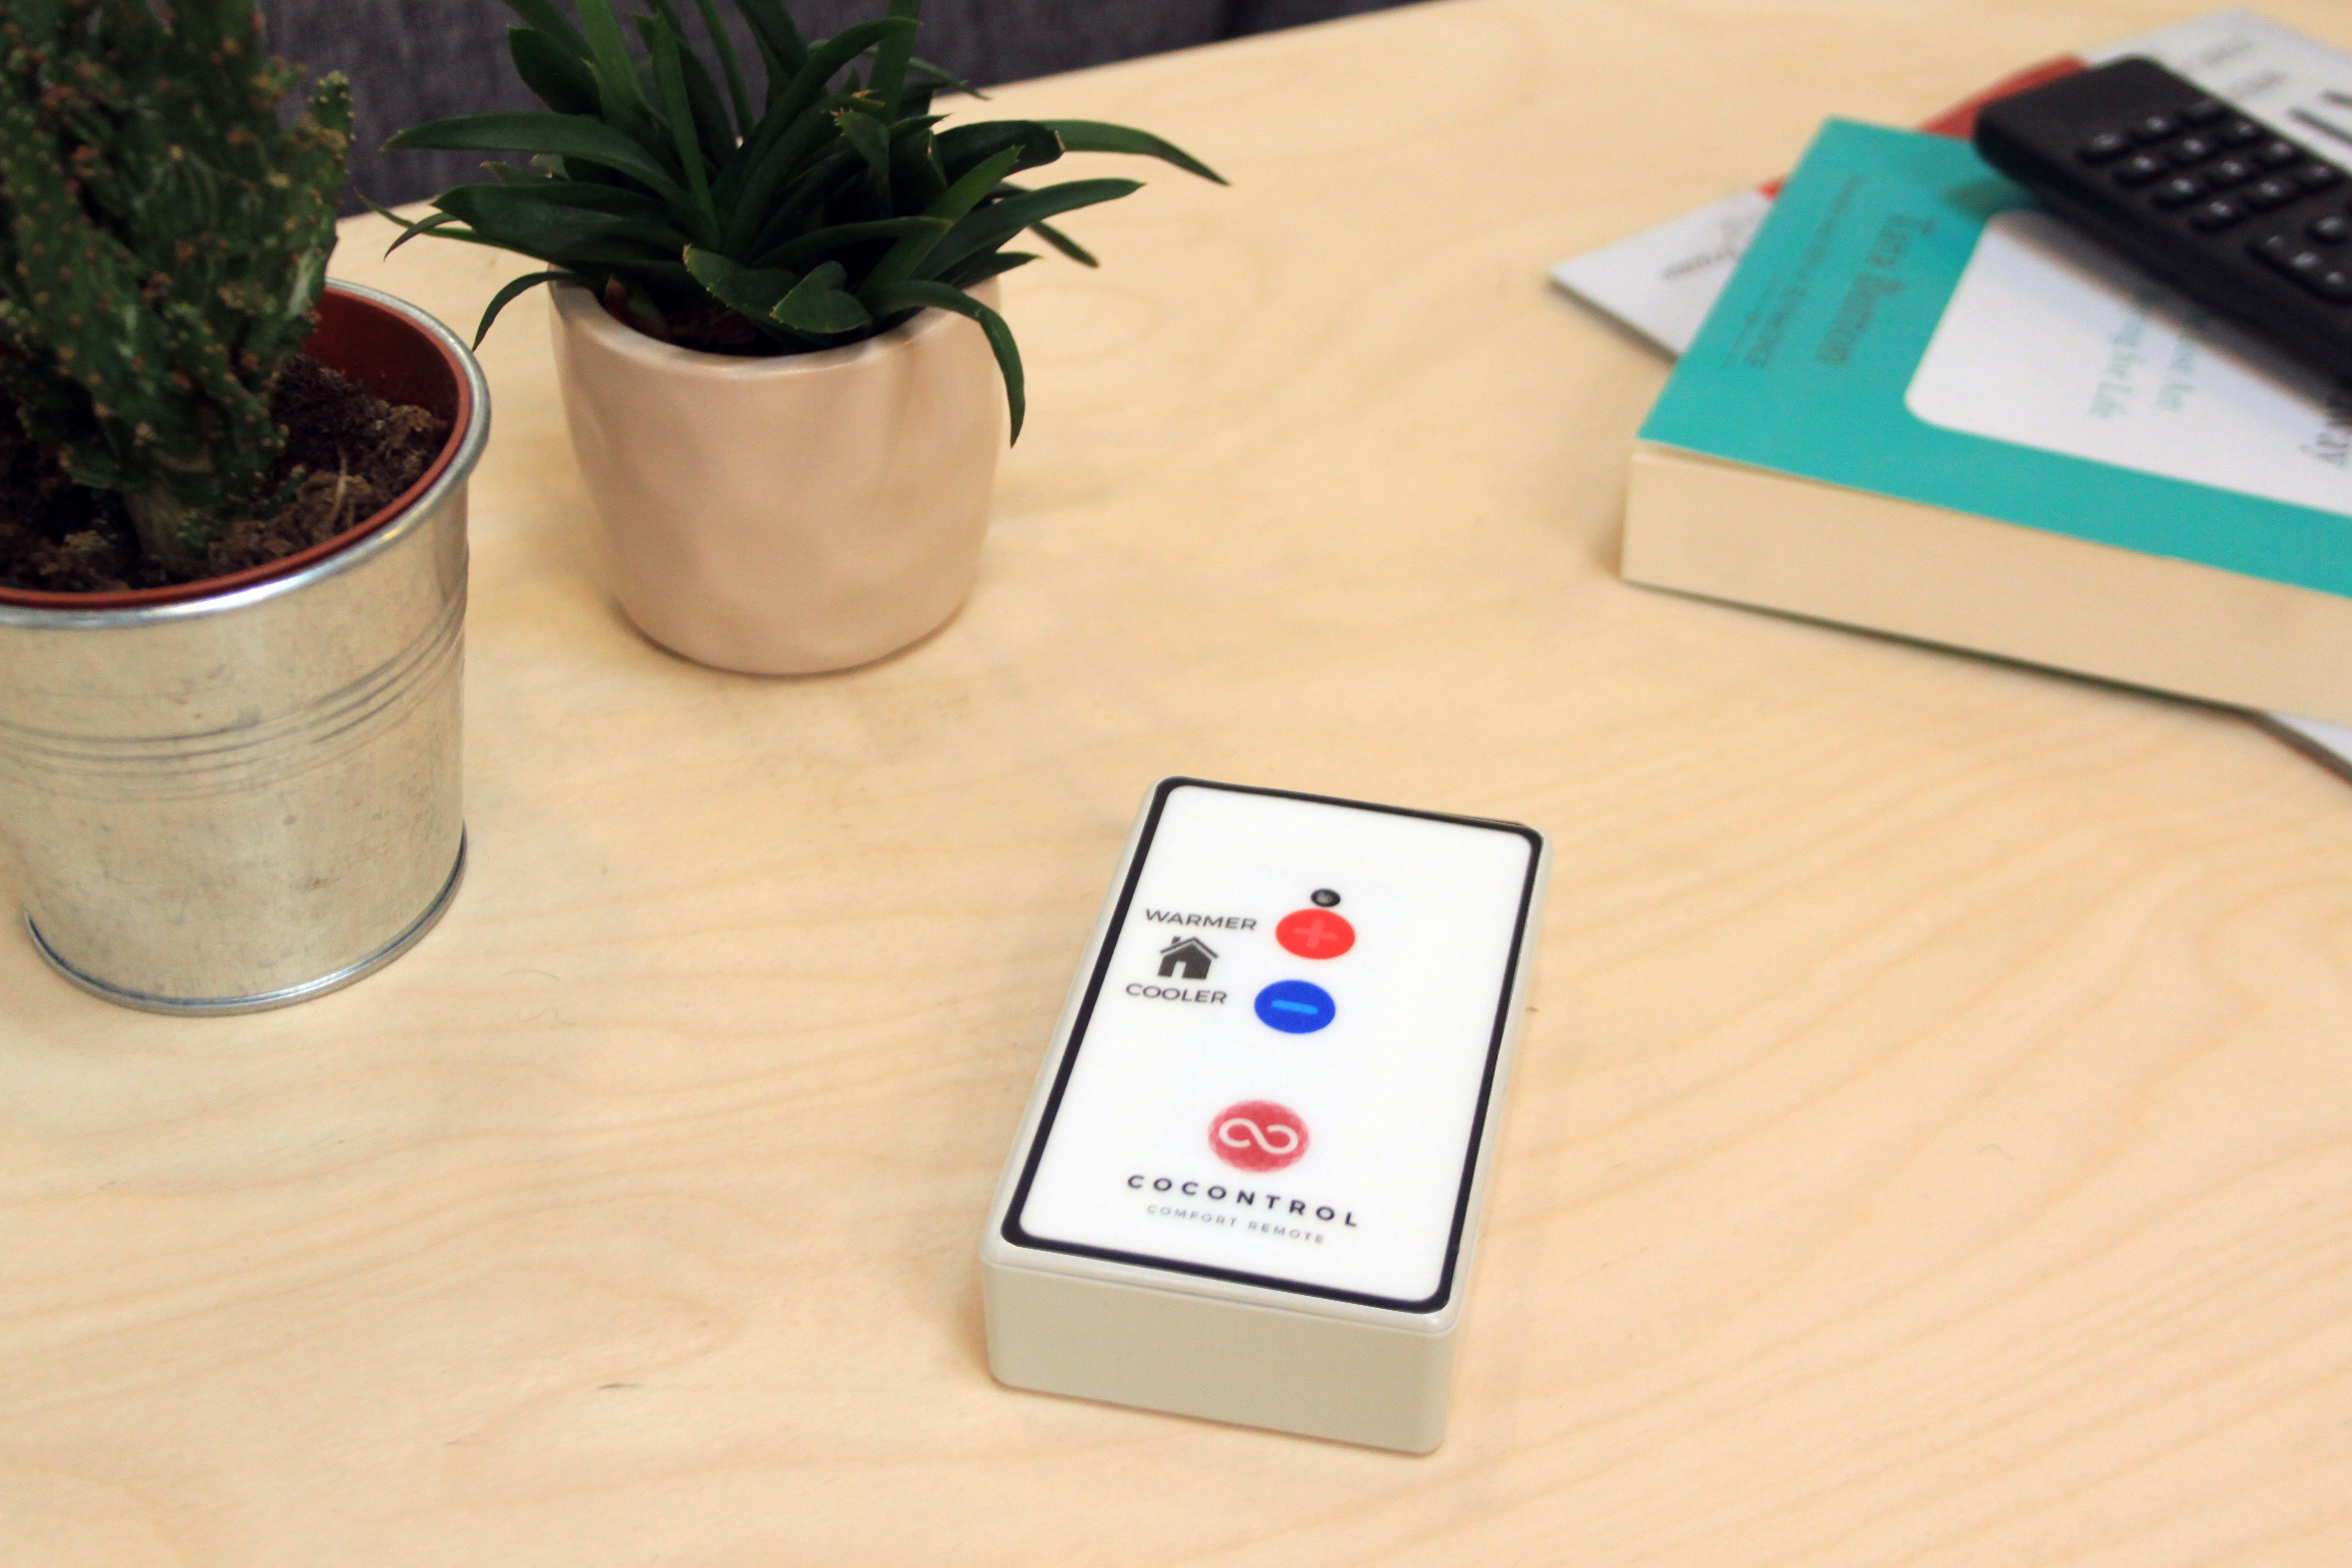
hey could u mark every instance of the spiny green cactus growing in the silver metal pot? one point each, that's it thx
(163, 243)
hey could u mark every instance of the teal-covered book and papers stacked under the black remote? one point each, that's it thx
(1920, 406)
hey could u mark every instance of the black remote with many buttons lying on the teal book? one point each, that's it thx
(2214, 203)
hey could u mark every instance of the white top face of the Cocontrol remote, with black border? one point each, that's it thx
(1283, 1061)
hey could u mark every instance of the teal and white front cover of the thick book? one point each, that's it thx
(1909, 323)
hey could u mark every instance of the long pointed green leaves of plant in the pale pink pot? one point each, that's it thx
(829, 215)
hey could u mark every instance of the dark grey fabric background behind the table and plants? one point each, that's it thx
(420, 60)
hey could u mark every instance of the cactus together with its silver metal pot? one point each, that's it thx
(232, 525)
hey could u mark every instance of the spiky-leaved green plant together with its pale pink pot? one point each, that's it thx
(773, 319)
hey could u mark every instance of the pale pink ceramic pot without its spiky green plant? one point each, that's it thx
(787, 514)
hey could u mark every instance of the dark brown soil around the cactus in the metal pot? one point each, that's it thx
(356, 453)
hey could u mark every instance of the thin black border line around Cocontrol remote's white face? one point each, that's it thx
(1013, 1231)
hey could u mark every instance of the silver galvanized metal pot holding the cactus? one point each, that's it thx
(246, 793)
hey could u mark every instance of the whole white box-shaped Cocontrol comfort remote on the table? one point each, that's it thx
(1250, 1177)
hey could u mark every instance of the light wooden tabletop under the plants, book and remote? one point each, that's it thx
(1935, 1141)
